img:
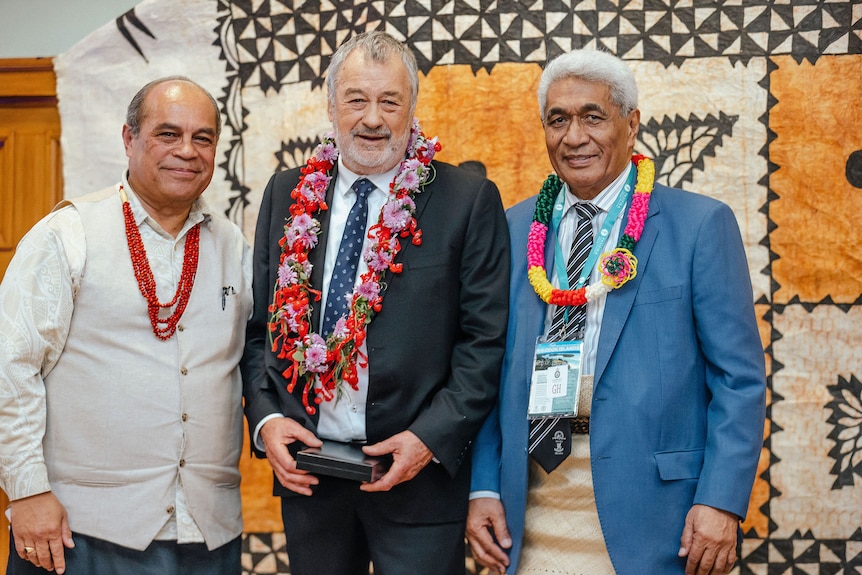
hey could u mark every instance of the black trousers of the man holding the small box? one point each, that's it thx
(340, 530)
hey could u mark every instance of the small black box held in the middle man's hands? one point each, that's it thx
(345, 460)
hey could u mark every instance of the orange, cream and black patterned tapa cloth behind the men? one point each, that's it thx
(755, 103)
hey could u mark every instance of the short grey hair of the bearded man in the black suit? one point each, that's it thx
(377, 46)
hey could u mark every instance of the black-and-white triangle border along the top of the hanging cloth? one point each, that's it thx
(292, 40)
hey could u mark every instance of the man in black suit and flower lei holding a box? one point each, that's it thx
(411, 367)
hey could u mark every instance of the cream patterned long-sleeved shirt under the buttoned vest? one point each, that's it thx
(37, 298)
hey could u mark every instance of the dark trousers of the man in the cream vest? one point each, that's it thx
(92, 556)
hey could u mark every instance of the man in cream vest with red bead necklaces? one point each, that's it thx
(122, 321)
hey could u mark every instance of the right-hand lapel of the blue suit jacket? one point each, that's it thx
(619, 303)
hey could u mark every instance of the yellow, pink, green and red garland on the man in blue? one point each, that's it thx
(616, 266)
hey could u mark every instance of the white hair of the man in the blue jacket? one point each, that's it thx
(592, 66)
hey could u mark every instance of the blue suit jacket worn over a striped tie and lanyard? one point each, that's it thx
(679, 394)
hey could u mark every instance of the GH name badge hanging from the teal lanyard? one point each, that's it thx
(555, 379)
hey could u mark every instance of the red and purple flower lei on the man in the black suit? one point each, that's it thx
(328, 362)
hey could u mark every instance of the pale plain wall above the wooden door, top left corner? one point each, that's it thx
(31, 28)
